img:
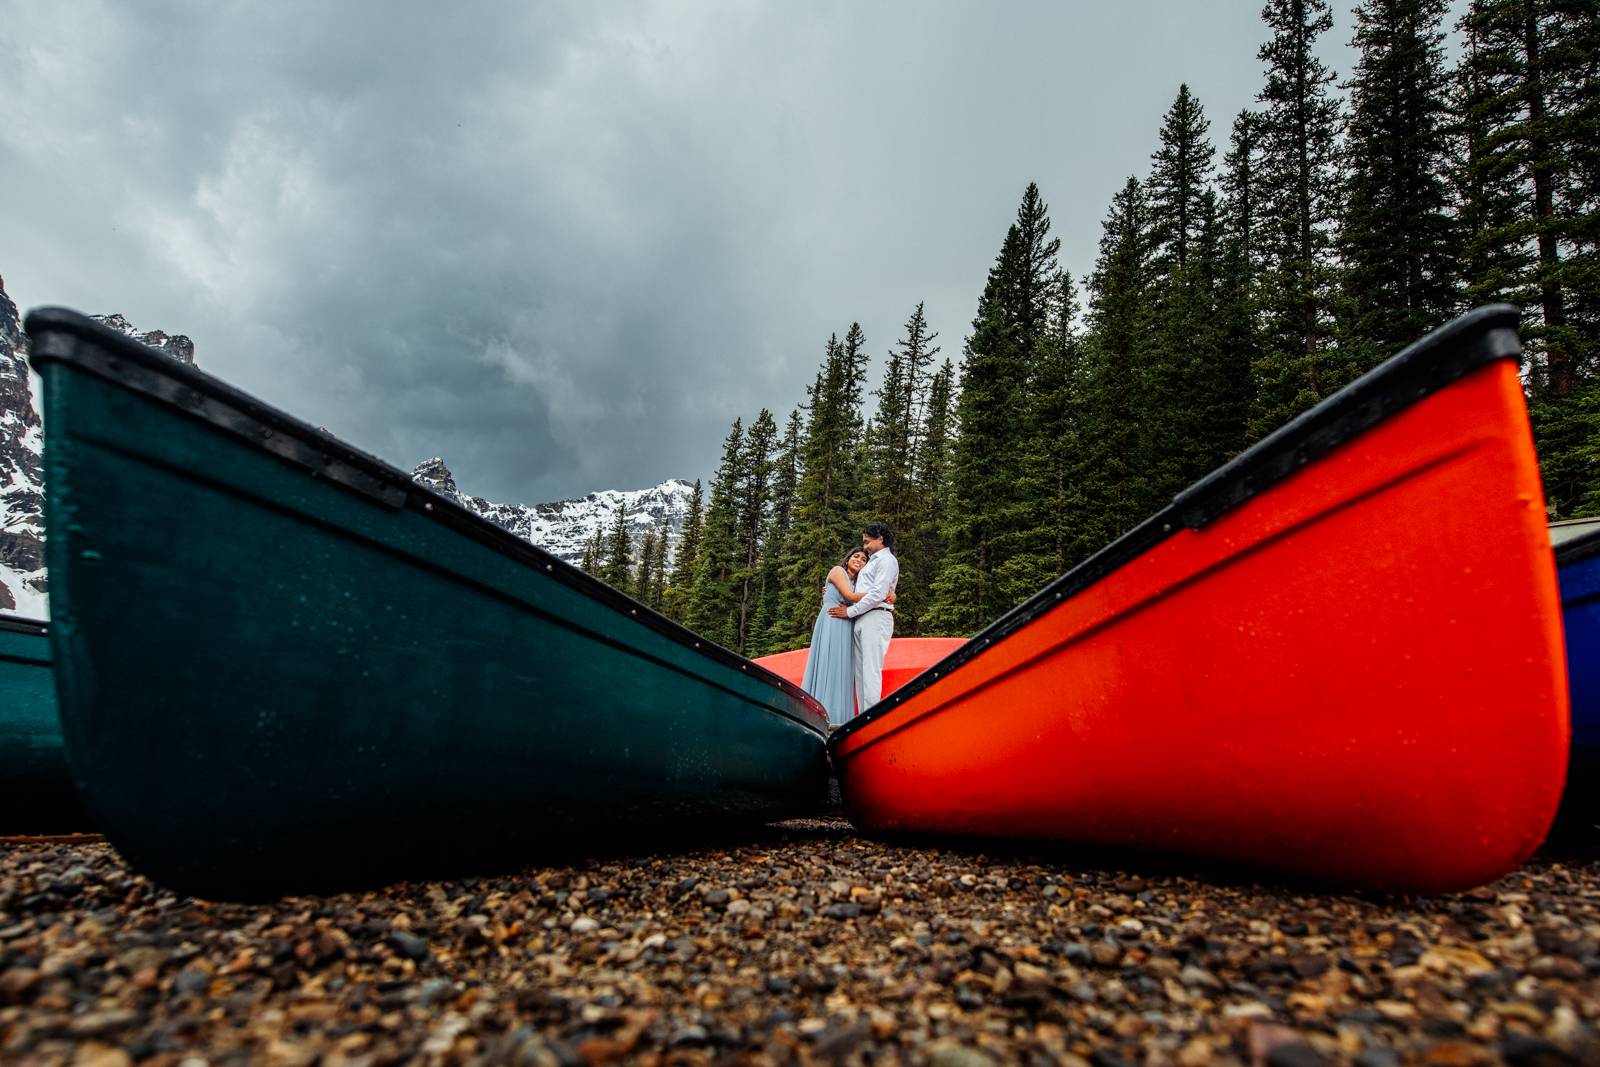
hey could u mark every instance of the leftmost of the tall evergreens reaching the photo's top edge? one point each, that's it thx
(1300, 202)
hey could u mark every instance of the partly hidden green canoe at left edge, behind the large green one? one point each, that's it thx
(36, 789)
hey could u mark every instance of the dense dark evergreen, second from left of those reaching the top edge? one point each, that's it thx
(1399, 239)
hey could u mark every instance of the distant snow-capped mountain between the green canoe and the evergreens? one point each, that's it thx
(564, 529)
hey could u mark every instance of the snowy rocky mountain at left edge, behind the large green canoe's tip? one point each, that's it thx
(23, 583)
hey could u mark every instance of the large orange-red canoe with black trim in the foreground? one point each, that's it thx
(1338, 657)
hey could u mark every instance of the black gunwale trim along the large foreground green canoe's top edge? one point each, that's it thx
(66, 337)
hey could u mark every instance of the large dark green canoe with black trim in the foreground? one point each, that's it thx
(287, 668)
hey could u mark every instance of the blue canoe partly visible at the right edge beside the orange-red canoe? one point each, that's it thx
(1577, 543)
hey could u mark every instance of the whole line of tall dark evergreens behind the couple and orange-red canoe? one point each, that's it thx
(1342, 223)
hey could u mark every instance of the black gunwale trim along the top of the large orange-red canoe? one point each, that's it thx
(1462, 346)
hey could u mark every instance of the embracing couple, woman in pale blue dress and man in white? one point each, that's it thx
(852, 634)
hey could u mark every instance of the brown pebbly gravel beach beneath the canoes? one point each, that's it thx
(806, 945)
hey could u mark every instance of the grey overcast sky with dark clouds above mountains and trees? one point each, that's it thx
(564, 246)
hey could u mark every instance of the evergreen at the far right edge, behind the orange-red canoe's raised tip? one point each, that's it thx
(1535, 118)
